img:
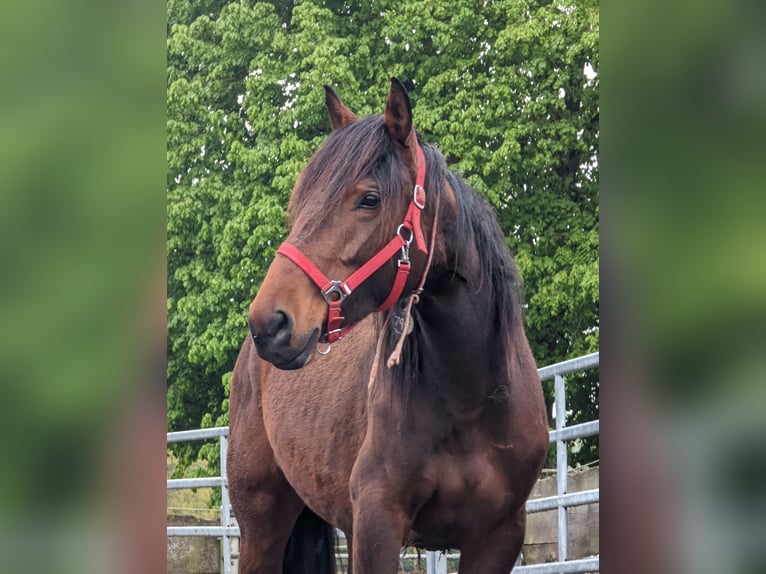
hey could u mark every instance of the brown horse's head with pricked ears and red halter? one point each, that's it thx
(353, 214)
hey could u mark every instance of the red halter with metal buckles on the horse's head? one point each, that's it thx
(335, 292)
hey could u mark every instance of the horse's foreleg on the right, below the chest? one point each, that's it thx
(495, 552)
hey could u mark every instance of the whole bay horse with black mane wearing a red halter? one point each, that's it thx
(401, 404)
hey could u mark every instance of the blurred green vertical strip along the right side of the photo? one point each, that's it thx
(684, 281)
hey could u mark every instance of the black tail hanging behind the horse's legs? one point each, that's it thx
(311, 547)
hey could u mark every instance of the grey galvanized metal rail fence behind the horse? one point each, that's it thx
(436, 562)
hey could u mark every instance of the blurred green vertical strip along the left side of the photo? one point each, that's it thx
(82, 165)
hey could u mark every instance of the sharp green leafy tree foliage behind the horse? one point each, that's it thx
(507, 88)
